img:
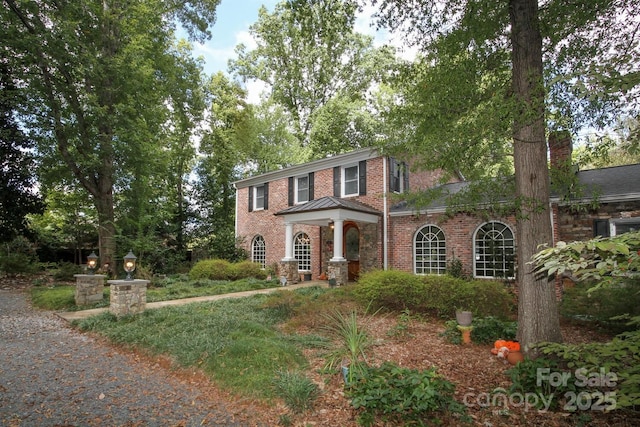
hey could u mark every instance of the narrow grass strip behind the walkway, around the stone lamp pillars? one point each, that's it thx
(62, 296)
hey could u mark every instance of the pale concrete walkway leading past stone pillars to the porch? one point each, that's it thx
(83, 314)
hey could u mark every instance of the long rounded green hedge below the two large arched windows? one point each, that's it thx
(434, 295)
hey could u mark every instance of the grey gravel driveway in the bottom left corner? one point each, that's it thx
(51, 375)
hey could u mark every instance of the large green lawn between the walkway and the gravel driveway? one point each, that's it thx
(237, 342)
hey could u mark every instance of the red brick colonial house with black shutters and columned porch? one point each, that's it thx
(340, 215)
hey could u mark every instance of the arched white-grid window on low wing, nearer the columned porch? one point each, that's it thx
(430, 252)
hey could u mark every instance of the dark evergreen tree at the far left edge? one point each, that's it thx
(17, 194)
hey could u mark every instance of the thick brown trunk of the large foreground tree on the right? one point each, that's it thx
(537, 304)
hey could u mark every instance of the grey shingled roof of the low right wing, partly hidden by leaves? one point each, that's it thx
(610, 184)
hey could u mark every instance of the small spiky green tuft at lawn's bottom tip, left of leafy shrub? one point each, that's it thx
(296, 389)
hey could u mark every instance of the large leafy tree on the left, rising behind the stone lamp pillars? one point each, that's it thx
(95, 72)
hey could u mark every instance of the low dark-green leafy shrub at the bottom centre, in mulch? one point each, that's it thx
(401, 396)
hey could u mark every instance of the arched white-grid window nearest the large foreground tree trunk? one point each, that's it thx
(494, 251)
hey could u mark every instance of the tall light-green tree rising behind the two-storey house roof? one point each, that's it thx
(310, 58)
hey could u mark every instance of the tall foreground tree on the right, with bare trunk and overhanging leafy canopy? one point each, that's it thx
(492, 75)
